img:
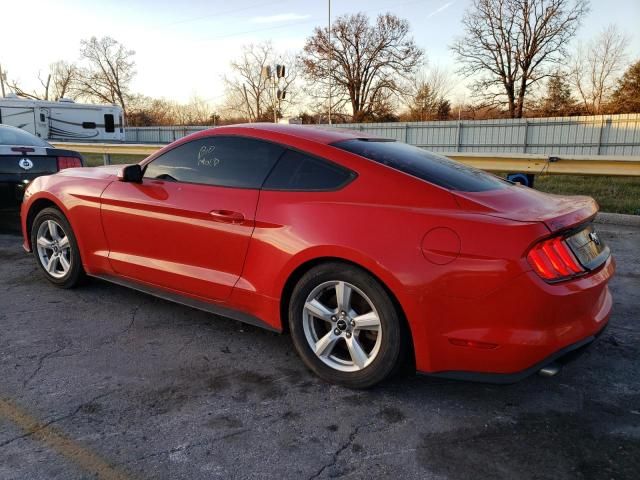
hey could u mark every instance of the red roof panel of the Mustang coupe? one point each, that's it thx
(319, 134)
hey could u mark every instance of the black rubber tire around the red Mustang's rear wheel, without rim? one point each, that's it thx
(392, 347)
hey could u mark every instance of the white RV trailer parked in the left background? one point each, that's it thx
(63, 120)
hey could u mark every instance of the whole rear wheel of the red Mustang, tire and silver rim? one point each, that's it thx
(345, 326)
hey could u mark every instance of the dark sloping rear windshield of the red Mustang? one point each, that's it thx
(425, 165)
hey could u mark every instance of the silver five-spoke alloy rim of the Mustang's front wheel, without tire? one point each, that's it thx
(54, 249)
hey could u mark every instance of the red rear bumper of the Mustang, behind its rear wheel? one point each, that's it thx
(516, 330)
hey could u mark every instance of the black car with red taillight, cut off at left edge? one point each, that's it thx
(23, 157)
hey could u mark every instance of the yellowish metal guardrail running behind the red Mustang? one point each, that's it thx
(494, 162)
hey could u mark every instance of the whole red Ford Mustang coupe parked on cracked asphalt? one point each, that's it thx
(369, 252)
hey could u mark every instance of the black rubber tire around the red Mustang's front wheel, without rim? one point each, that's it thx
(75, 273)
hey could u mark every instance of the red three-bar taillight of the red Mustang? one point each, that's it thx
(552, 260)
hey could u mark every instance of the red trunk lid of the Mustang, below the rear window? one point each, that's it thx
(525, 204)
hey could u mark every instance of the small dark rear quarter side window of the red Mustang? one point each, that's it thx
(297, 171)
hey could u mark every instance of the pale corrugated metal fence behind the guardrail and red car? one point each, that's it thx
(594, 135)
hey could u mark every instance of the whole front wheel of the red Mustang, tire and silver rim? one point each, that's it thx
(56, 249)
